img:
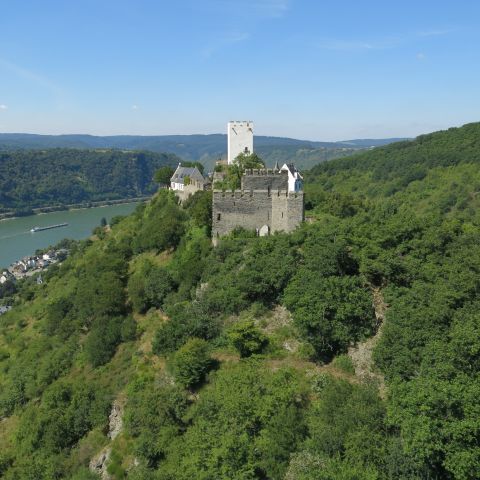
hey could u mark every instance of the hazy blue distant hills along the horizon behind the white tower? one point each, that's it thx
(204, 148)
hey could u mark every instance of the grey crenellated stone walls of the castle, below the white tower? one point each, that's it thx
(264, 204)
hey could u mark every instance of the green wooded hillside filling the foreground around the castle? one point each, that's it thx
(347, 350)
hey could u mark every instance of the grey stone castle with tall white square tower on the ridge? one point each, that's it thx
(269, 200)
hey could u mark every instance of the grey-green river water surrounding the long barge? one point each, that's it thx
(16, 240)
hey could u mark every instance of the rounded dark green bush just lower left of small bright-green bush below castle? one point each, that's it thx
(191, 363)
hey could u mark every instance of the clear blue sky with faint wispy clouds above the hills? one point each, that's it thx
(314, 69)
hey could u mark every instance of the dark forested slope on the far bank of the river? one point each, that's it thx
(41, 178)
